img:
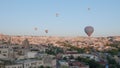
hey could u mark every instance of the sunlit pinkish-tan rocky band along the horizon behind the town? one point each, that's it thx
(53, 39)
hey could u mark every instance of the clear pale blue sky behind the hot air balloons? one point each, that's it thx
(20, 17)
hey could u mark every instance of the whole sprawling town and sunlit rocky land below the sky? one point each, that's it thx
(59, 52)
